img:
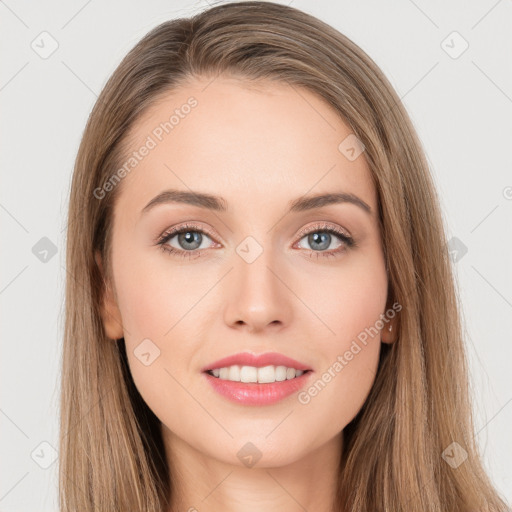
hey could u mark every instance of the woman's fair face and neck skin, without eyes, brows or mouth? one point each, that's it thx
(254, 145)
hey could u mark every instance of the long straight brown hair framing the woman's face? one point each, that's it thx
(110, 441)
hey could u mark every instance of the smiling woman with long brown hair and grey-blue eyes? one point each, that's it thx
(305, 351)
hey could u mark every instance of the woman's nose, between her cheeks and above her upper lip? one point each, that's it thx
(257, 295)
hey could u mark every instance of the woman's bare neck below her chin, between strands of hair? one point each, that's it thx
(202, 483)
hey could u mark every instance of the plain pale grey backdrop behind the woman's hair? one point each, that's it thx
(451, 64)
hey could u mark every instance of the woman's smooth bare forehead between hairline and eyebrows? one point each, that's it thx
(251, 143)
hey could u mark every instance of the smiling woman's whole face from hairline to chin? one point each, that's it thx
(260, 273)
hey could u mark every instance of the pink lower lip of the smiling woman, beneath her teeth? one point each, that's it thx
(253, 393)
